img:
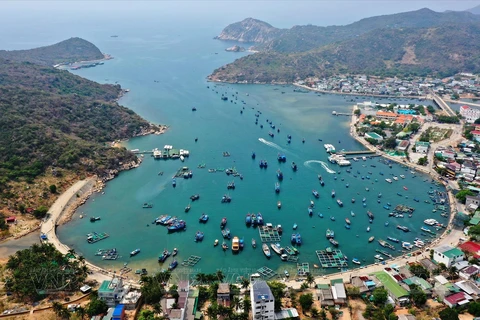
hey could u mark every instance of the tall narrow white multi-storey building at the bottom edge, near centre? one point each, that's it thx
(262, 301)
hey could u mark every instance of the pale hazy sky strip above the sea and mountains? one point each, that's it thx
(283, 14)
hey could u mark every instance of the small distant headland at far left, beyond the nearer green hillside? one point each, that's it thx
(71, 50)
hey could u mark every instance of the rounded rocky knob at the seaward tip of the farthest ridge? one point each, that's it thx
(250, 30)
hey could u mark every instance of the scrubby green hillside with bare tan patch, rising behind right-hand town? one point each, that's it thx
(442, 50)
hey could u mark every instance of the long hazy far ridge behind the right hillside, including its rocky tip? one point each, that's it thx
(304, 38)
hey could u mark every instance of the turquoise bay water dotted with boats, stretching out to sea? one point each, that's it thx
(166, 75)
